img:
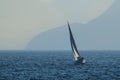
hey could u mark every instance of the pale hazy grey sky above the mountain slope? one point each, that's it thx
(21, 20)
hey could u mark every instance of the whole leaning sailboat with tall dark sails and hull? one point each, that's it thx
(78, 59)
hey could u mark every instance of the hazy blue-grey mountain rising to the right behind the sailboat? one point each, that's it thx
(102, 33)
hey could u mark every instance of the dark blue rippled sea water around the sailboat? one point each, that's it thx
(26, 65)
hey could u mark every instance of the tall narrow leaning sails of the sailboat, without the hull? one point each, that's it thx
(73, 45)
